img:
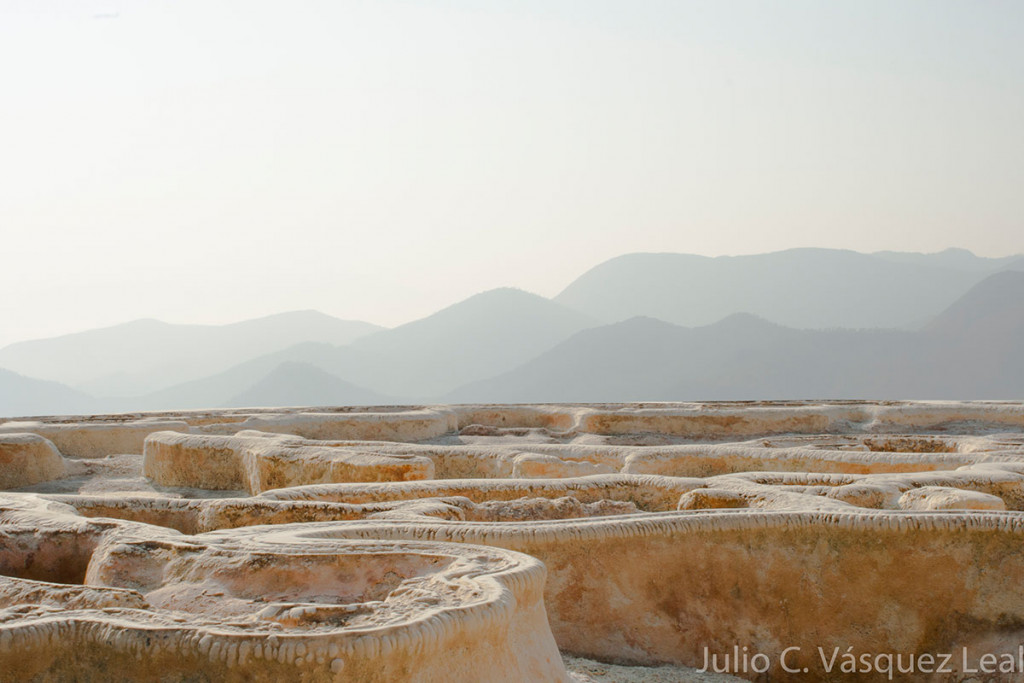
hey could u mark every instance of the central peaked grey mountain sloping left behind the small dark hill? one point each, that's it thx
(480, 337)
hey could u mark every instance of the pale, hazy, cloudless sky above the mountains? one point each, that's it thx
(208, 162)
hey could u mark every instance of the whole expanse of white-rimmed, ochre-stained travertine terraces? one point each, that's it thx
(476, 543)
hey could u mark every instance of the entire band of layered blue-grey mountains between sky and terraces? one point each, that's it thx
(800, 324)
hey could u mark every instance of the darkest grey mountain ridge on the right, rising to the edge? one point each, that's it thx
(971, 351)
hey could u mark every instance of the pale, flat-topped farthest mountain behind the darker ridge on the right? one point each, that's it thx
(798, 288)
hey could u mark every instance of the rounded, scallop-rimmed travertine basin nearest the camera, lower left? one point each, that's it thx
(157, 605)
